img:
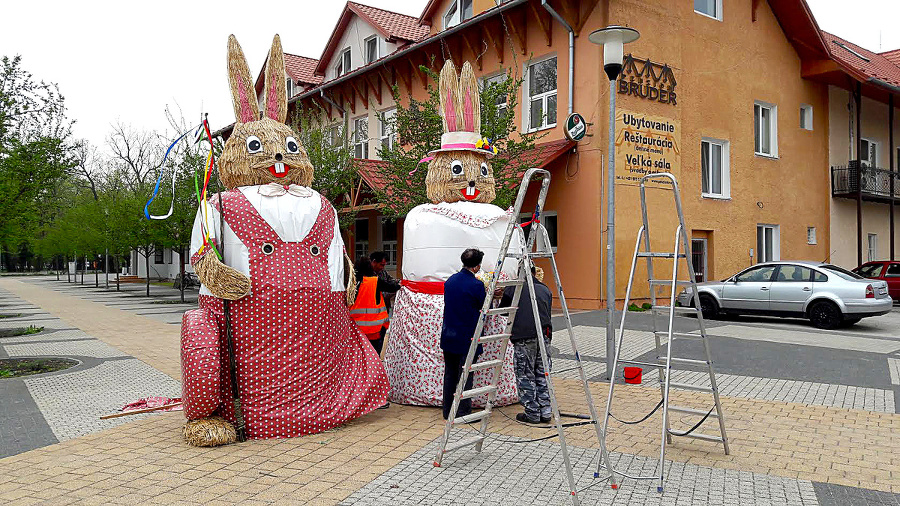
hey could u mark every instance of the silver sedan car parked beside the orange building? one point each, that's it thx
(827, 295)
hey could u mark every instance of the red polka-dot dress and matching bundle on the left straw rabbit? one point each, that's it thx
(303, 366)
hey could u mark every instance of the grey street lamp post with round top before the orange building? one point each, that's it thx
(612, 38)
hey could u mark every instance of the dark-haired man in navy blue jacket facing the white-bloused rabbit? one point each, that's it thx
(463, 297)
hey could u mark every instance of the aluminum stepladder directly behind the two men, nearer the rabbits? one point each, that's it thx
(524, 276)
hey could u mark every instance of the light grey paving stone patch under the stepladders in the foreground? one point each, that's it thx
(514, 472)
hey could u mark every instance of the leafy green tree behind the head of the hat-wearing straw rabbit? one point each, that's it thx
(418, 127)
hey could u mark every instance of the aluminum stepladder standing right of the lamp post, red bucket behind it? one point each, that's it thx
(664, 362)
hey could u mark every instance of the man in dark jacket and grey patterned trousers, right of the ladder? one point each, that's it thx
(530, 379)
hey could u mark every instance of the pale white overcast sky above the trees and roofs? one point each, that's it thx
(126, 61)
